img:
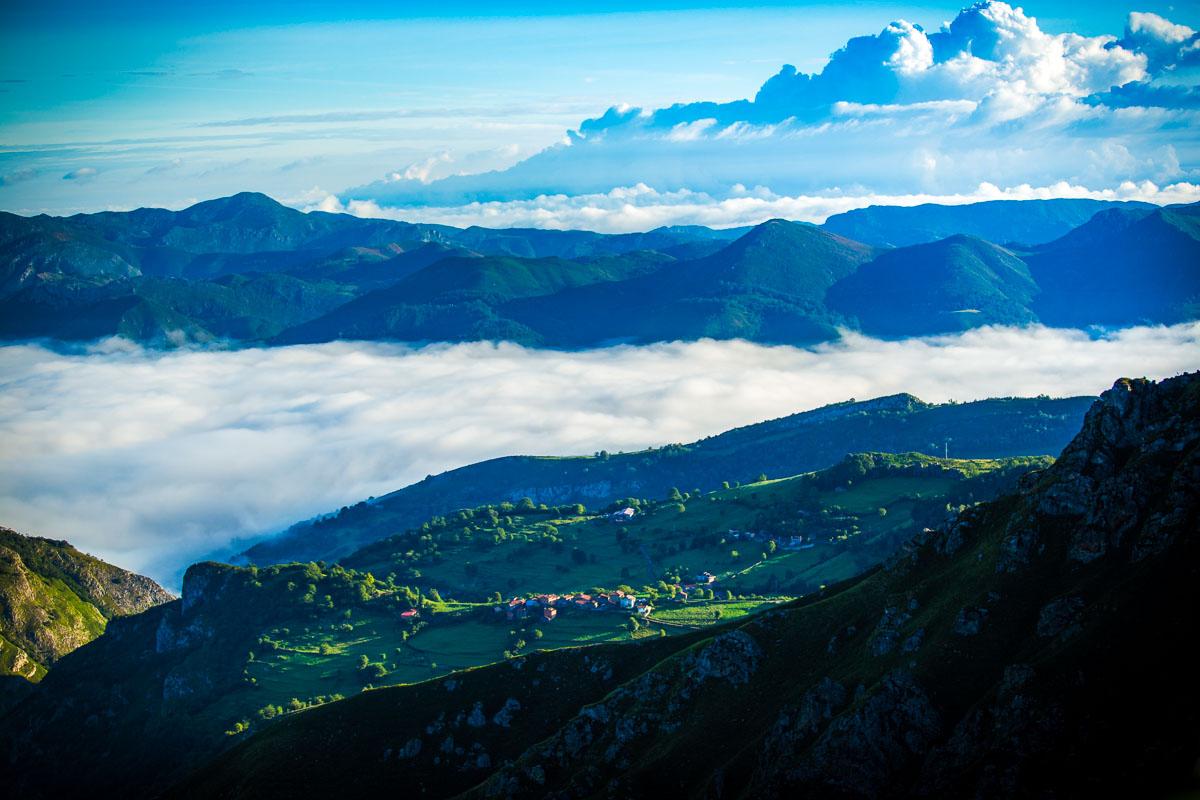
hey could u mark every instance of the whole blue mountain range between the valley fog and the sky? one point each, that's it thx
(248, 270)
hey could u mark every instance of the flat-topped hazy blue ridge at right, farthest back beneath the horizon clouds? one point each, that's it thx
(1029, 222)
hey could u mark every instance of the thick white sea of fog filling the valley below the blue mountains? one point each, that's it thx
(153, 460)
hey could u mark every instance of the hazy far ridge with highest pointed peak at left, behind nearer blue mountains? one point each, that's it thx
(253, 233)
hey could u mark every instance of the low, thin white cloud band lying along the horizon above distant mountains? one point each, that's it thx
(643, 208)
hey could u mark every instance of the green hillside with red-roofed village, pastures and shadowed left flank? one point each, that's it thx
(248, 648)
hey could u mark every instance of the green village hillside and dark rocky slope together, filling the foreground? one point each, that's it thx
(1029, 641)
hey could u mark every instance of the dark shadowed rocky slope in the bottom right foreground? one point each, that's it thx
(1040, 646)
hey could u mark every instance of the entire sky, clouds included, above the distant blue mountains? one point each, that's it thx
(471, 113)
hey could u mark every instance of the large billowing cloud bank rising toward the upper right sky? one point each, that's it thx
(989, 98)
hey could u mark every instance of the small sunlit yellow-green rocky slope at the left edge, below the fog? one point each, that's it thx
(55, 599)
